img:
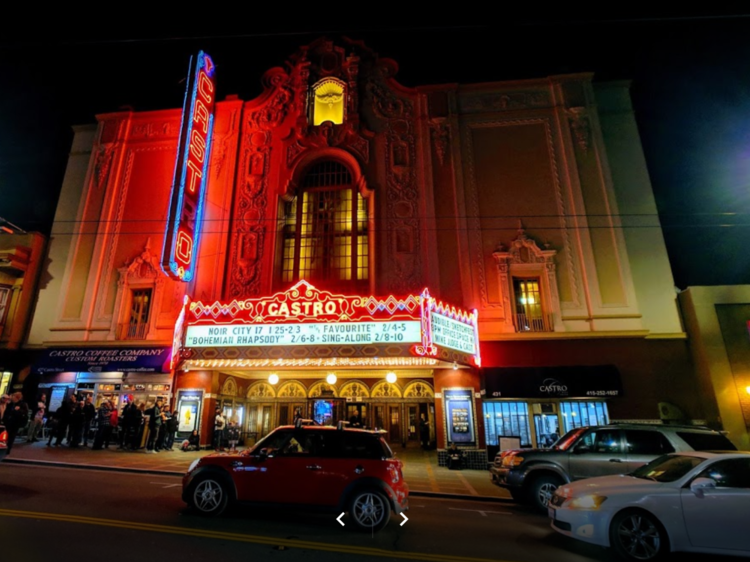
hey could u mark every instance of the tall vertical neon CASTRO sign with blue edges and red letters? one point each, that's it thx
(191, 171)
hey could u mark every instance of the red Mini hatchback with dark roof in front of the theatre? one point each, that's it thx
(336, 469)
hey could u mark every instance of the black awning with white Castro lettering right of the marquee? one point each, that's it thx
(582, 381)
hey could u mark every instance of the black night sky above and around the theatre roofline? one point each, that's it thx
(690, 77)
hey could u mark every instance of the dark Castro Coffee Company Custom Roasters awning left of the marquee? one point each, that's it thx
(103, 359)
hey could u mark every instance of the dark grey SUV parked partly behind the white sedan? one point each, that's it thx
(532, 475)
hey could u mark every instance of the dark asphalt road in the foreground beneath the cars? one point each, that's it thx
(72, 514)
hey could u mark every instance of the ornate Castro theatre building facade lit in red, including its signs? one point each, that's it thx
(343, 244)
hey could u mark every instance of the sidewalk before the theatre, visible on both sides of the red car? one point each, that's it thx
(421, 469)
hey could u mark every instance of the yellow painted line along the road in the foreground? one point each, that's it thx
(290, 543)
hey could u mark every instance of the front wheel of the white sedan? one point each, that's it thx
(637, 535)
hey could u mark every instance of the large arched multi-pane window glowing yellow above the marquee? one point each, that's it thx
(325, 231)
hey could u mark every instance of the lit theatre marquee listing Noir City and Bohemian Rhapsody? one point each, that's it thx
(305, 326)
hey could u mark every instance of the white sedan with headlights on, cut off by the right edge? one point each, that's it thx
(690, 502)
